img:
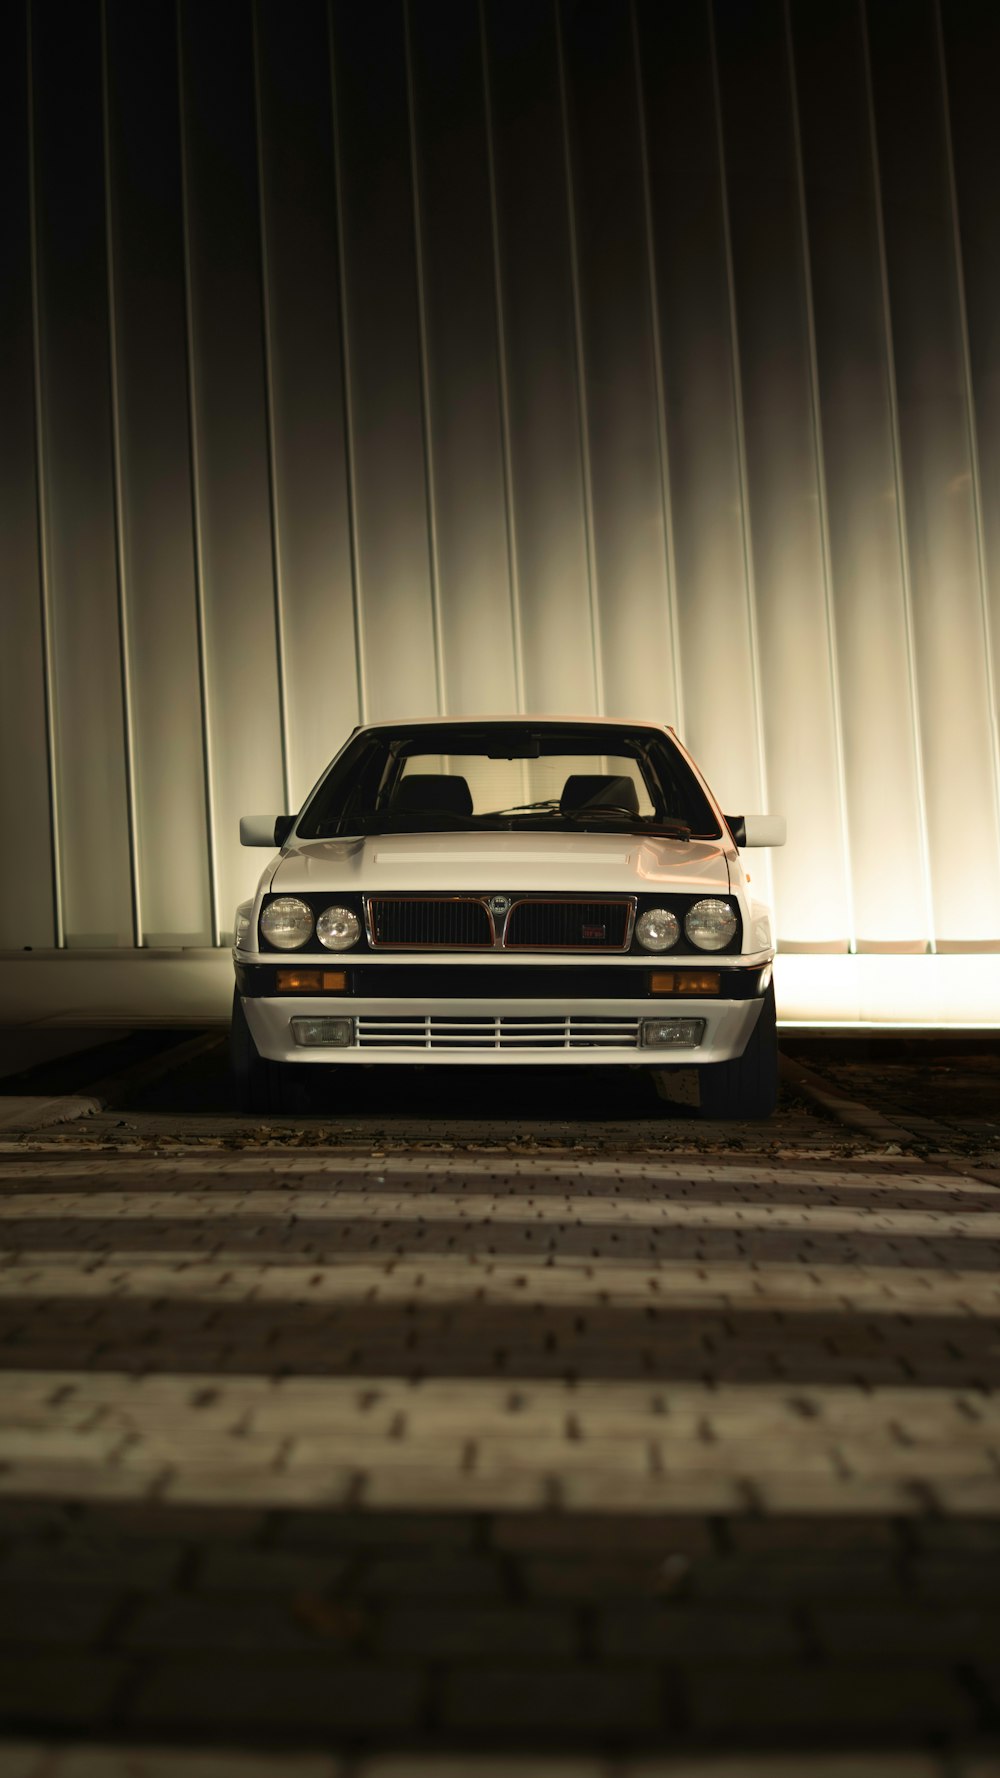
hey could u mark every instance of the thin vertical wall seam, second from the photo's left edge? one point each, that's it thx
(124, 636)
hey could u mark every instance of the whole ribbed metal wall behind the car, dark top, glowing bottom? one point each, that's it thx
(433, 355)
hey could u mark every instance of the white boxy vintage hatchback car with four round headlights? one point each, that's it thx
(499, 892)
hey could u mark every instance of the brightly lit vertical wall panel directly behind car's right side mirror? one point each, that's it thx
(782, 474)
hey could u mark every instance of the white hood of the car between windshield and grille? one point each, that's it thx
(503, 863)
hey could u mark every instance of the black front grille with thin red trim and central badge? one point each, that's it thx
(464, 924)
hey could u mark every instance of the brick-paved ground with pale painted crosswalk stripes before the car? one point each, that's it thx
(663, 1446)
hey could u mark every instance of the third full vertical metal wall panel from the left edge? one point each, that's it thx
(145, 195)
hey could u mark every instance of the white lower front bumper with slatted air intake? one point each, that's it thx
(503, 1030)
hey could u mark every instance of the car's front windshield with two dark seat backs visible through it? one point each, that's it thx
(510, 776)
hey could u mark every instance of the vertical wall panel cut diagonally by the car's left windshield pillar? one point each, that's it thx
(307, 387)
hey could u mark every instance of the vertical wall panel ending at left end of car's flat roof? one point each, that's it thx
(385, 358)
